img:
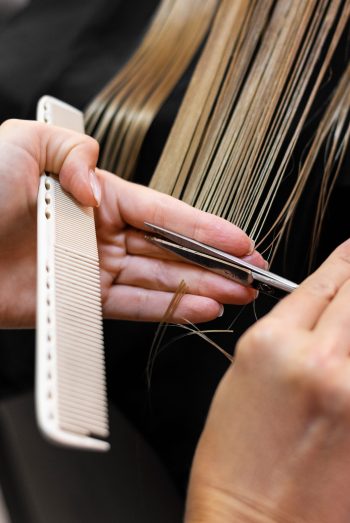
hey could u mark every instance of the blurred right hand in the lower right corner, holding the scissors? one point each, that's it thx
(276, 446)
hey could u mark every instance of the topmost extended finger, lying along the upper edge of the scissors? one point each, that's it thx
(138, 204)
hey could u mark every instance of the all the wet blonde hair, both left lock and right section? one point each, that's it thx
(243, 124)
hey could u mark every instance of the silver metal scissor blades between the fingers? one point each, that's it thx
(220, 262)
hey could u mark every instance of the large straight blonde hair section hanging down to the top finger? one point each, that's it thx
(250, 98)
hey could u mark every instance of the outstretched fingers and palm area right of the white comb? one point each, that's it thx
(139, 279)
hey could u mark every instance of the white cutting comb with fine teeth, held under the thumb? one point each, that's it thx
(71, 403)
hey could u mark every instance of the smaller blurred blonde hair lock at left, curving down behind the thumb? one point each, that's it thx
(121, 114)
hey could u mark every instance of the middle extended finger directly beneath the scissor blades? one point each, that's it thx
(165, 275)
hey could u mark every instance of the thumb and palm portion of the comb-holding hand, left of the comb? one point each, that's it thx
(26, 150)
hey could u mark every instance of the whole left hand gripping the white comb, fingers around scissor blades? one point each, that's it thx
(138, 279)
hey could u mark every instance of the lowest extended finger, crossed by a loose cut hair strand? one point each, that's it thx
(132, 303)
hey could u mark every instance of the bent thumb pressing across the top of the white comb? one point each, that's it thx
(73, 156)
